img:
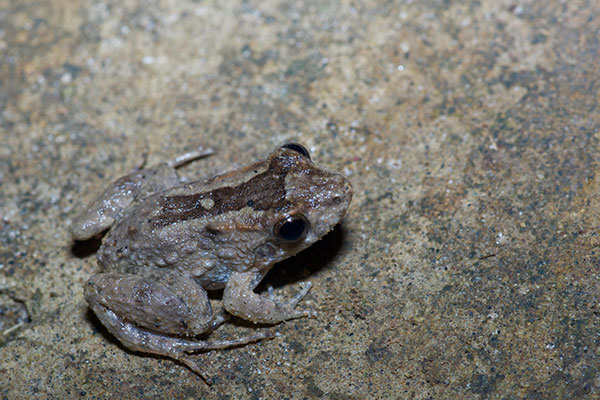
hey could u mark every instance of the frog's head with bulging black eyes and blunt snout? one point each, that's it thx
(301, 202)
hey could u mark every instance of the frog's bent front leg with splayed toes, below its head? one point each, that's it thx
(240, 300)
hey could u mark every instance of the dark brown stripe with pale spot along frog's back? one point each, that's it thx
(266, 191)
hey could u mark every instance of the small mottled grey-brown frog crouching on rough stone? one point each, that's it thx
(167, 242)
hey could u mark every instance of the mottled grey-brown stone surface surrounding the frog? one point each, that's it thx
(468, 266)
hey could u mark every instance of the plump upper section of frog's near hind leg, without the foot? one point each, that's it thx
(165, 303)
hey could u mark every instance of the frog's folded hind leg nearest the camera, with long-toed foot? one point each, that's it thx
(158, 314)
